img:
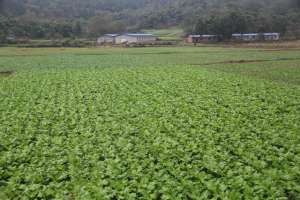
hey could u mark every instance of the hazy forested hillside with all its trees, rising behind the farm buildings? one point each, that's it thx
(77, 18)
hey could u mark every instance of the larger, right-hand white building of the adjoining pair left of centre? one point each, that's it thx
(130, 38)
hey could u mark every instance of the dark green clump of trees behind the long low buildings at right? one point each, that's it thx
(225, 24)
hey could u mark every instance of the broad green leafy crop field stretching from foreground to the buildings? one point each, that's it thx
(149, 123)
